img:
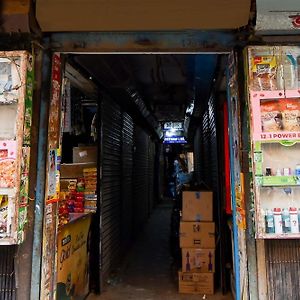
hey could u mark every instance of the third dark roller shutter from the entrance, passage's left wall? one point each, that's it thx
(140, 178)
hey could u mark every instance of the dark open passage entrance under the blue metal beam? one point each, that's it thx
(140, 136)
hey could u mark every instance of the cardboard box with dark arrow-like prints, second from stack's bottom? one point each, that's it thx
(198, 260)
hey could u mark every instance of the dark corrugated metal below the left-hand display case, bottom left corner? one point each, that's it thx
(7, 273)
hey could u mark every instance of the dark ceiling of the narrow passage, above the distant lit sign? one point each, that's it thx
(166, 83)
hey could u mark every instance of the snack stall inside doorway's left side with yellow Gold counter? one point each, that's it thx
(71, 193)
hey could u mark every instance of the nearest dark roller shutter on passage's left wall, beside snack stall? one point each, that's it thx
(110, 186)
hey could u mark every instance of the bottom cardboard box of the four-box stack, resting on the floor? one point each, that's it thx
(196, 283)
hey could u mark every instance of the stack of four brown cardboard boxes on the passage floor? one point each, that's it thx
(197, 242)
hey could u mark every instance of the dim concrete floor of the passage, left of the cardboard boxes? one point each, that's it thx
(148, 272)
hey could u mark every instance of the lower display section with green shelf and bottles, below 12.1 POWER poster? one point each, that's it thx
(277, 188)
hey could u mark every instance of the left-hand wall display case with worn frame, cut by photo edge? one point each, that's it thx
(16, 80)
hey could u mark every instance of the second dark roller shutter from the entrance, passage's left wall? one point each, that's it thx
(127, 184)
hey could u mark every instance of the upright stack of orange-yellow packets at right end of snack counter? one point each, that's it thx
(90, 193)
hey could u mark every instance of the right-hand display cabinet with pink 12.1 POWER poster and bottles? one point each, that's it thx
(275, 131)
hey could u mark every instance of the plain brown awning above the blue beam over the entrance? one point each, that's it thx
(136, 15)
